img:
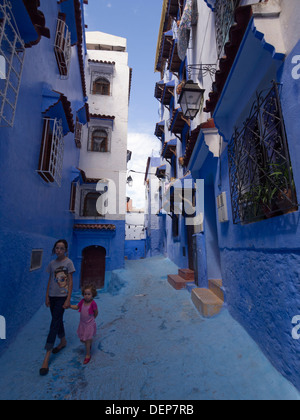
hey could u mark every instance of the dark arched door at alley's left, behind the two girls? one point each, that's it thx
(93, 266)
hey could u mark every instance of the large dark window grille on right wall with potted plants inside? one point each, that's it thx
(261, 175)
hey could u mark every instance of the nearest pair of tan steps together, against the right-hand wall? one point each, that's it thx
(209, 302)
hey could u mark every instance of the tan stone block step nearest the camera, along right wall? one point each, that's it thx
(207, 303)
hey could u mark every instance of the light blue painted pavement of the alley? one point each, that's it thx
(152, 344)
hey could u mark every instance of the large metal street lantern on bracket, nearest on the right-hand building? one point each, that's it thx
(191, 99)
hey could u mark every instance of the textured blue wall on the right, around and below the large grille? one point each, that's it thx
(261, 261)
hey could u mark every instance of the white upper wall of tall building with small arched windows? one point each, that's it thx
(111, 165)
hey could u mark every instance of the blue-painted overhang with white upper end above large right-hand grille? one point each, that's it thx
(259, 57)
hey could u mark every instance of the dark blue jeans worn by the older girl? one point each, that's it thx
(57, 325)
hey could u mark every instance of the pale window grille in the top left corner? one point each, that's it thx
(12, 54)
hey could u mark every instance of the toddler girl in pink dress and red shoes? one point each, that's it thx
(88, 313)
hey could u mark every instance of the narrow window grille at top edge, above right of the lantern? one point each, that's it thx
(224, 17)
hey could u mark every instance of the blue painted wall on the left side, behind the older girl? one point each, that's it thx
(33, 214)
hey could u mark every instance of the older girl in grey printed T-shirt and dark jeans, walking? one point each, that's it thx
(58, 298)
